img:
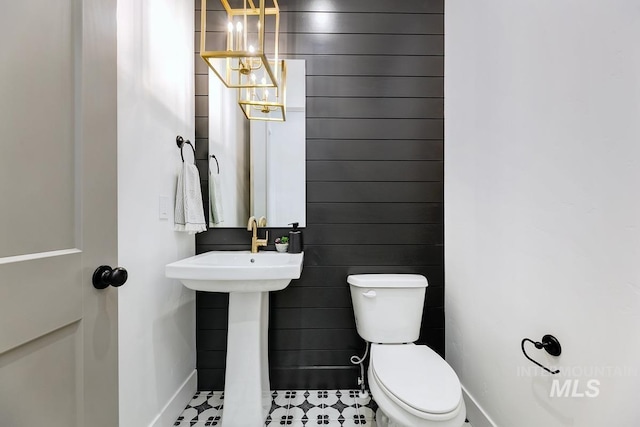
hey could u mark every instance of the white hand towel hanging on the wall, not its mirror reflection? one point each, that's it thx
(189, 212)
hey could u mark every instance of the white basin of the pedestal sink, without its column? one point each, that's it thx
(237, 271)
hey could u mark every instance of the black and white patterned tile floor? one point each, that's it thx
(290, 408)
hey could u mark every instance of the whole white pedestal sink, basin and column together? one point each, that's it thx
(248, 278)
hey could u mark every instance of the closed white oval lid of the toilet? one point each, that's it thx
(417, 376)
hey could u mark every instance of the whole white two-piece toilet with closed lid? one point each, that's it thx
(412, 385)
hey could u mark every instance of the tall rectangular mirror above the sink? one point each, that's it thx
(260, 168)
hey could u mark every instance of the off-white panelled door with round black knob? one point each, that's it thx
(58, 335)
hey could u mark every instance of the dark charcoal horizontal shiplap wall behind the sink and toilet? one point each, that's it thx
(374, 181)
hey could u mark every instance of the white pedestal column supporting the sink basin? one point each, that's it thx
(247, 395)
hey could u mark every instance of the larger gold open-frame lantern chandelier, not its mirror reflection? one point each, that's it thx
(243, 63)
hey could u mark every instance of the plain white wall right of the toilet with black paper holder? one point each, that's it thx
(542, 207)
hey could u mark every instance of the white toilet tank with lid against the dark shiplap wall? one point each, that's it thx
(388, 307)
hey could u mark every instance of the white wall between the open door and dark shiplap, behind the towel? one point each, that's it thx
(156, 315)
